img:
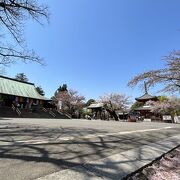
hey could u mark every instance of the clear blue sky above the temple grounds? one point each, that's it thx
(97, 46)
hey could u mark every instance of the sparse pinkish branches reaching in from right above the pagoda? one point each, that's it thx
(168, 76)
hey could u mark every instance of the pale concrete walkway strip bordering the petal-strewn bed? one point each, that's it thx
(119, 165)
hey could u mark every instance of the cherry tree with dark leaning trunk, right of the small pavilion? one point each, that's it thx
(113, 102)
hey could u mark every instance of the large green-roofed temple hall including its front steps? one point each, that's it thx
(21, 99)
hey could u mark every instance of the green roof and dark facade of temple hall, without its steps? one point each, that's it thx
(20, 94)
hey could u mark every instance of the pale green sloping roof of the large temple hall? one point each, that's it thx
(13, 87)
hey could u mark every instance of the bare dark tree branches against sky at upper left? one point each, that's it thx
(13, 15)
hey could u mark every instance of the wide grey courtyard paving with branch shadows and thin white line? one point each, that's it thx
(34, 148)
